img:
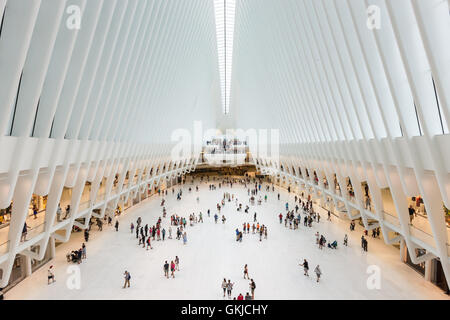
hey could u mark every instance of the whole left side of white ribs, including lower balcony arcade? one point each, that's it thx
(81, 107)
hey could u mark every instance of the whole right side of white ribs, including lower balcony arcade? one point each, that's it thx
(353, 103)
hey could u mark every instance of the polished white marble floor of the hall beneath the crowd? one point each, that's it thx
(212, 254)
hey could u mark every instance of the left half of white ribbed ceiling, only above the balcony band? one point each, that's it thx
(135, 71)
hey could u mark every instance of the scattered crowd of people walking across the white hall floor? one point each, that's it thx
(301, 212)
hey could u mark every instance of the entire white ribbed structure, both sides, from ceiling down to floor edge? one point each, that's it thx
(90, 113)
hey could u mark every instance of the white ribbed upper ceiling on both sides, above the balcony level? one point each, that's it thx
(138, 69)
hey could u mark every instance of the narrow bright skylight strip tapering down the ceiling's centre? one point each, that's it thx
(225, 13)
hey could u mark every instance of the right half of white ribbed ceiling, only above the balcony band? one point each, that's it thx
(315, 70)
